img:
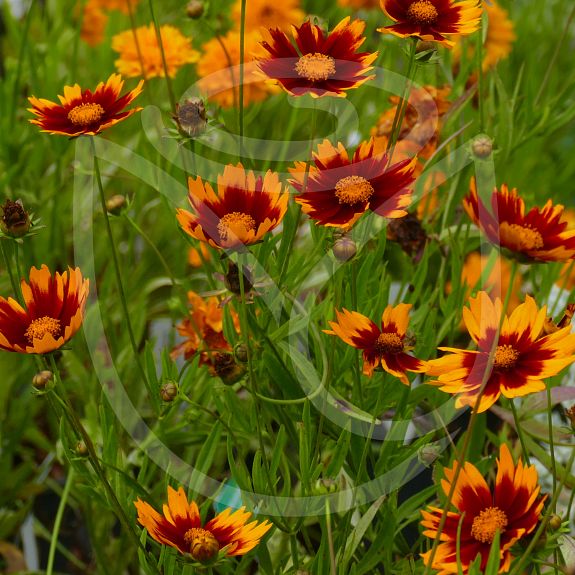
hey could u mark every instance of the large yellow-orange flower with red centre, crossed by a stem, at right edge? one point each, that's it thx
(512, 362)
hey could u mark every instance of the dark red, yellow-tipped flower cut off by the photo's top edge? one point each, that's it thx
(432, 20)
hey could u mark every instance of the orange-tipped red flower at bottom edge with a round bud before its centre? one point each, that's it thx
(228, 534)
